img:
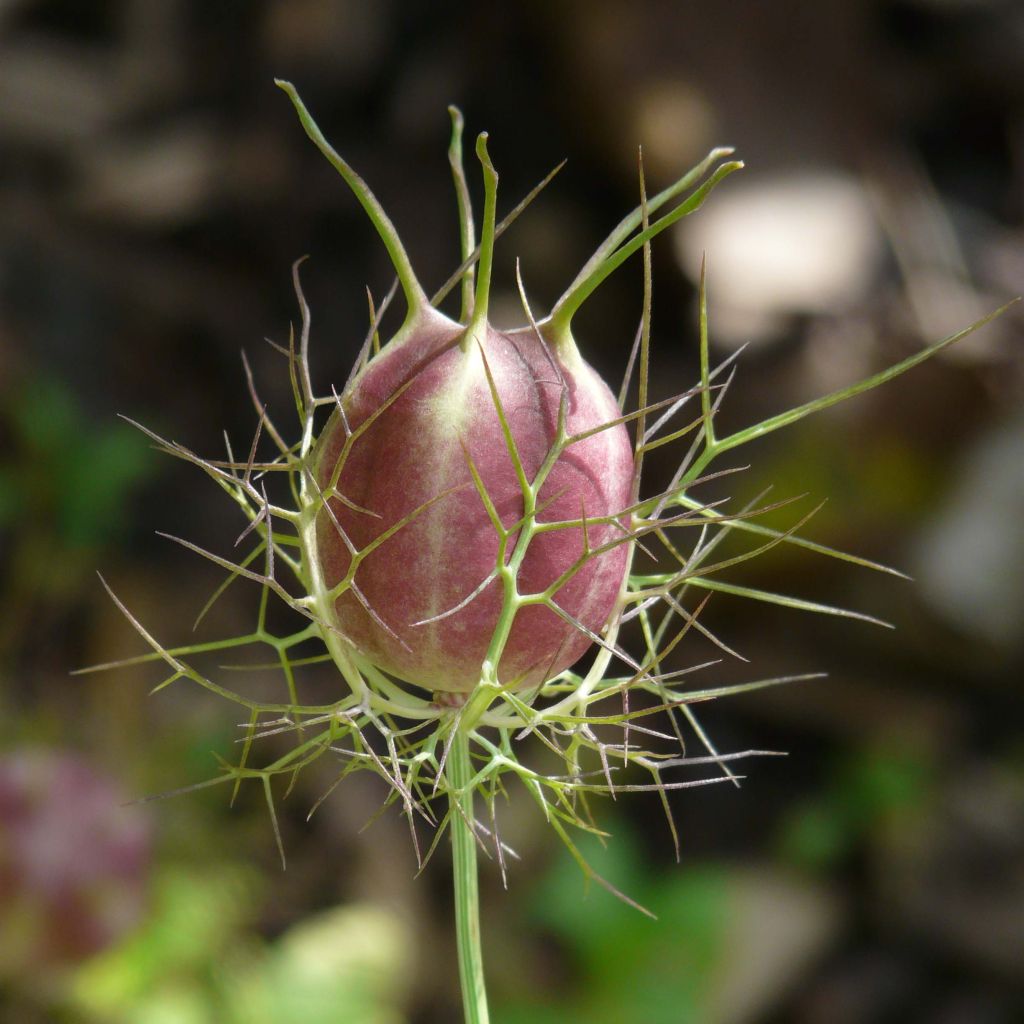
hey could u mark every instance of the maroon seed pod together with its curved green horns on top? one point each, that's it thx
(468, 515)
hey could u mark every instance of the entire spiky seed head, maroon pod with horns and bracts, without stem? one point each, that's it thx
(548, 505)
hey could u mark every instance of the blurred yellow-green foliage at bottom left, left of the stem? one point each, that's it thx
(198, 961)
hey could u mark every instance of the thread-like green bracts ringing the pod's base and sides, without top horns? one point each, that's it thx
(380, 714)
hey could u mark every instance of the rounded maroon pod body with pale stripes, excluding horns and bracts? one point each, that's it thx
(464, 437)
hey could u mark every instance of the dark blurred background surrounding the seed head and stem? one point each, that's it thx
(155, 190)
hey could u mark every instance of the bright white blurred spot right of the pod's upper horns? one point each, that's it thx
(805, 243)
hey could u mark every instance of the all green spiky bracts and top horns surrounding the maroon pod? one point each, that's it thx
(382, 726)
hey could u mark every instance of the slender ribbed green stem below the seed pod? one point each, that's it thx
(467, 902)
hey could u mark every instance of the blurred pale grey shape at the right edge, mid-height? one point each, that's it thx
(969, 562)
